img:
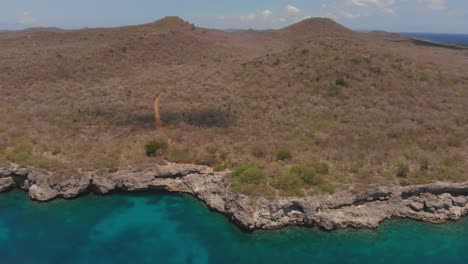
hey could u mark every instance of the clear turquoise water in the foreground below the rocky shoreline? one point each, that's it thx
(164, 228)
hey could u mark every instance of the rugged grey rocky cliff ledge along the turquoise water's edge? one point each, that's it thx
(435, 203)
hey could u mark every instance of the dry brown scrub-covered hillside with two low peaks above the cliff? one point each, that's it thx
(275, 107)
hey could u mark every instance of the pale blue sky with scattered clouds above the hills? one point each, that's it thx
(437, 16)
